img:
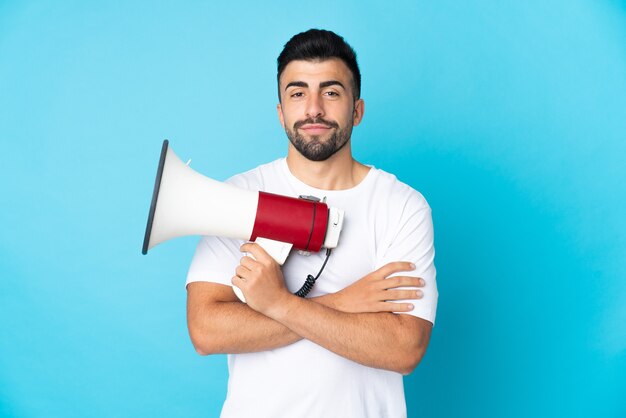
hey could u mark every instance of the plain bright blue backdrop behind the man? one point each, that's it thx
(509, 116)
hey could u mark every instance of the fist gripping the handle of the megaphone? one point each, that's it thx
(260, 279)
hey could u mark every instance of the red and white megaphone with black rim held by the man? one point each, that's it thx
(185, 202)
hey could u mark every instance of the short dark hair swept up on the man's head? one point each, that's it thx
(319, 44)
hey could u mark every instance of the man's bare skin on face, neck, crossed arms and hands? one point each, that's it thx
(357, 322)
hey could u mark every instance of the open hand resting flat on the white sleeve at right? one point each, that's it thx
(376, 291)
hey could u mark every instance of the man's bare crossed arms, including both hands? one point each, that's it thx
(357, 322)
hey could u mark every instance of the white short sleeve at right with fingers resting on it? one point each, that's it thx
(411, 239)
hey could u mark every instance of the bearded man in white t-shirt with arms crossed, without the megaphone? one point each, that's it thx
(342, 351)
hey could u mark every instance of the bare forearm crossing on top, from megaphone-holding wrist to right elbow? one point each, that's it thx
(381, 340)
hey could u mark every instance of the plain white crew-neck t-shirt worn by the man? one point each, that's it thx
(385, 221)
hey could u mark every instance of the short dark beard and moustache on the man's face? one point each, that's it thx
(315, 148)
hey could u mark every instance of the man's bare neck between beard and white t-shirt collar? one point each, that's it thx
(339, 172)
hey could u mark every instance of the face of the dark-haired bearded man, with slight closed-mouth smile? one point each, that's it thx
(317, 107)
